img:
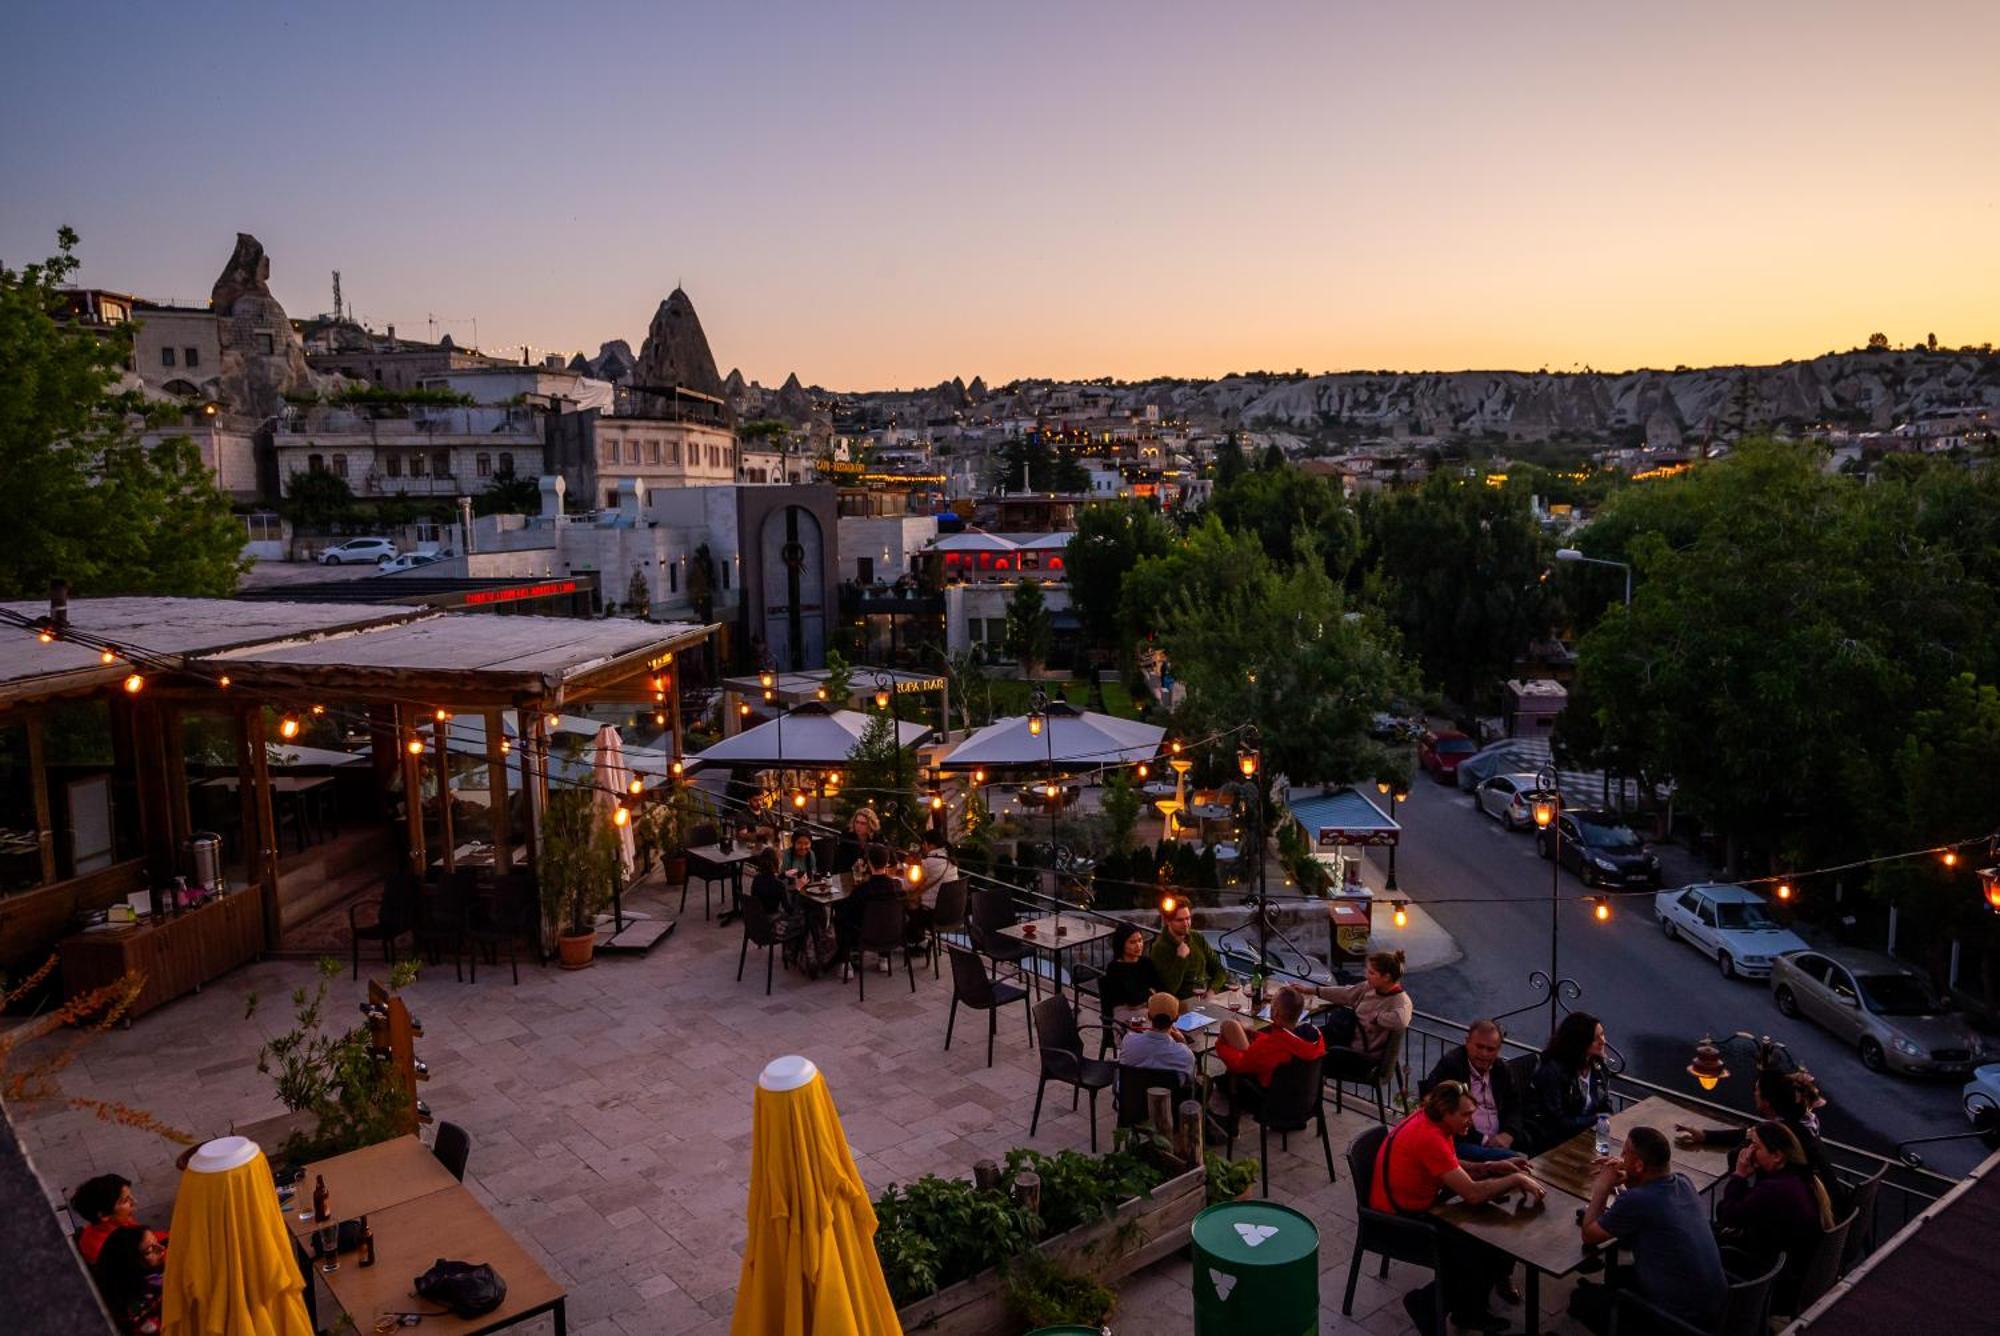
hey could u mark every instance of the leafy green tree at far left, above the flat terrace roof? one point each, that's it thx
(83, 499)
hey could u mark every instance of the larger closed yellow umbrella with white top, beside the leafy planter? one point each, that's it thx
(811, 1267)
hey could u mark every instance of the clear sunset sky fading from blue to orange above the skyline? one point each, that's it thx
(893, 195)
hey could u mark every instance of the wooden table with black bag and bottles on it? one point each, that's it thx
(419, 1213)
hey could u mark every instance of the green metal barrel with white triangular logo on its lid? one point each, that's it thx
(1257, 1271)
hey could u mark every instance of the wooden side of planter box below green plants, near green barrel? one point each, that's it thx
(1137, 1235)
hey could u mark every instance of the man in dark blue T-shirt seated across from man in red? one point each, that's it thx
(1663, 1223)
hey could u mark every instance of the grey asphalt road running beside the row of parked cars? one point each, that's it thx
(1657, 997)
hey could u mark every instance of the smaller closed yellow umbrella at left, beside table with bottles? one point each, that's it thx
(231, 1271)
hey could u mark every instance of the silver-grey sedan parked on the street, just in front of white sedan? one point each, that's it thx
(1889, 1013)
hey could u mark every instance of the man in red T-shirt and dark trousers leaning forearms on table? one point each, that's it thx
(1413, 1169)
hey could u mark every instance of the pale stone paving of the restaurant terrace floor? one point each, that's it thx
(611, 1117)
